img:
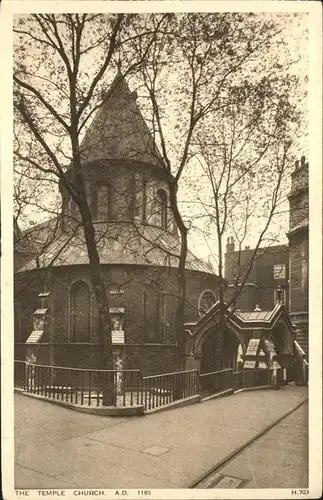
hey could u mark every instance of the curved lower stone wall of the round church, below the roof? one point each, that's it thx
(142, 349)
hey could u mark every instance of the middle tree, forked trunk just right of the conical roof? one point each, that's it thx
(213, 57)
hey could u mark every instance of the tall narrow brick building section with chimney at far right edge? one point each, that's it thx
(298, 251)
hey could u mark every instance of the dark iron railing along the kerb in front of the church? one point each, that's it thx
(88, 387)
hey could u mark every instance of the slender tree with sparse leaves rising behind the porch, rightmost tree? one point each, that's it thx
(246, 163)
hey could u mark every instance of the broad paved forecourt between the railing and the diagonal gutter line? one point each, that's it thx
(60, 448)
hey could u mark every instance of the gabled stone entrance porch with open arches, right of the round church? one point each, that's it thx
(210, 348)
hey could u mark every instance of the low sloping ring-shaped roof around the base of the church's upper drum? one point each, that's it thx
(118, 243)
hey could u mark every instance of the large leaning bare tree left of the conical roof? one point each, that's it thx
(54, 98)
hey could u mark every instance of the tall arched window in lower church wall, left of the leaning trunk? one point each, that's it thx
(80, 312)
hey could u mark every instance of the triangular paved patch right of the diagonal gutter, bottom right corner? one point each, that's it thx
(278, 458)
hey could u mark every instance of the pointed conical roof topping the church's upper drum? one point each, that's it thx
(118, 130)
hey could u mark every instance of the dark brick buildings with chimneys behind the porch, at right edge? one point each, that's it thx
(278, 274)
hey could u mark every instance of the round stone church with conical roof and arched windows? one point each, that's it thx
(138, 245)
